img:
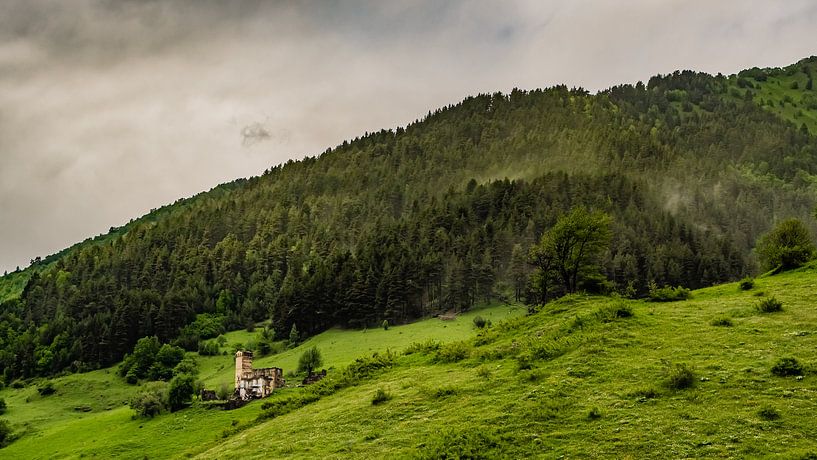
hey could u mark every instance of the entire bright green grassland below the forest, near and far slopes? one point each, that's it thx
(584, 377)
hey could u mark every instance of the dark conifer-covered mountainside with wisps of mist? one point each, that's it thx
(440, 215)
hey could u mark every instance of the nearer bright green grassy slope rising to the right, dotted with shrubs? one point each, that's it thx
(608, 366)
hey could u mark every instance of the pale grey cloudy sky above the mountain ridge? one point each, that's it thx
(111, 108)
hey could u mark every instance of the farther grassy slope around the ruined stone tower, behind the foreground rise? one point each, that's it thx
(53, 427)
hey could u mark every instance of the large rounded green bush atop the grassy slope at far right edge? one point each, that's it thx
(788, 245)
